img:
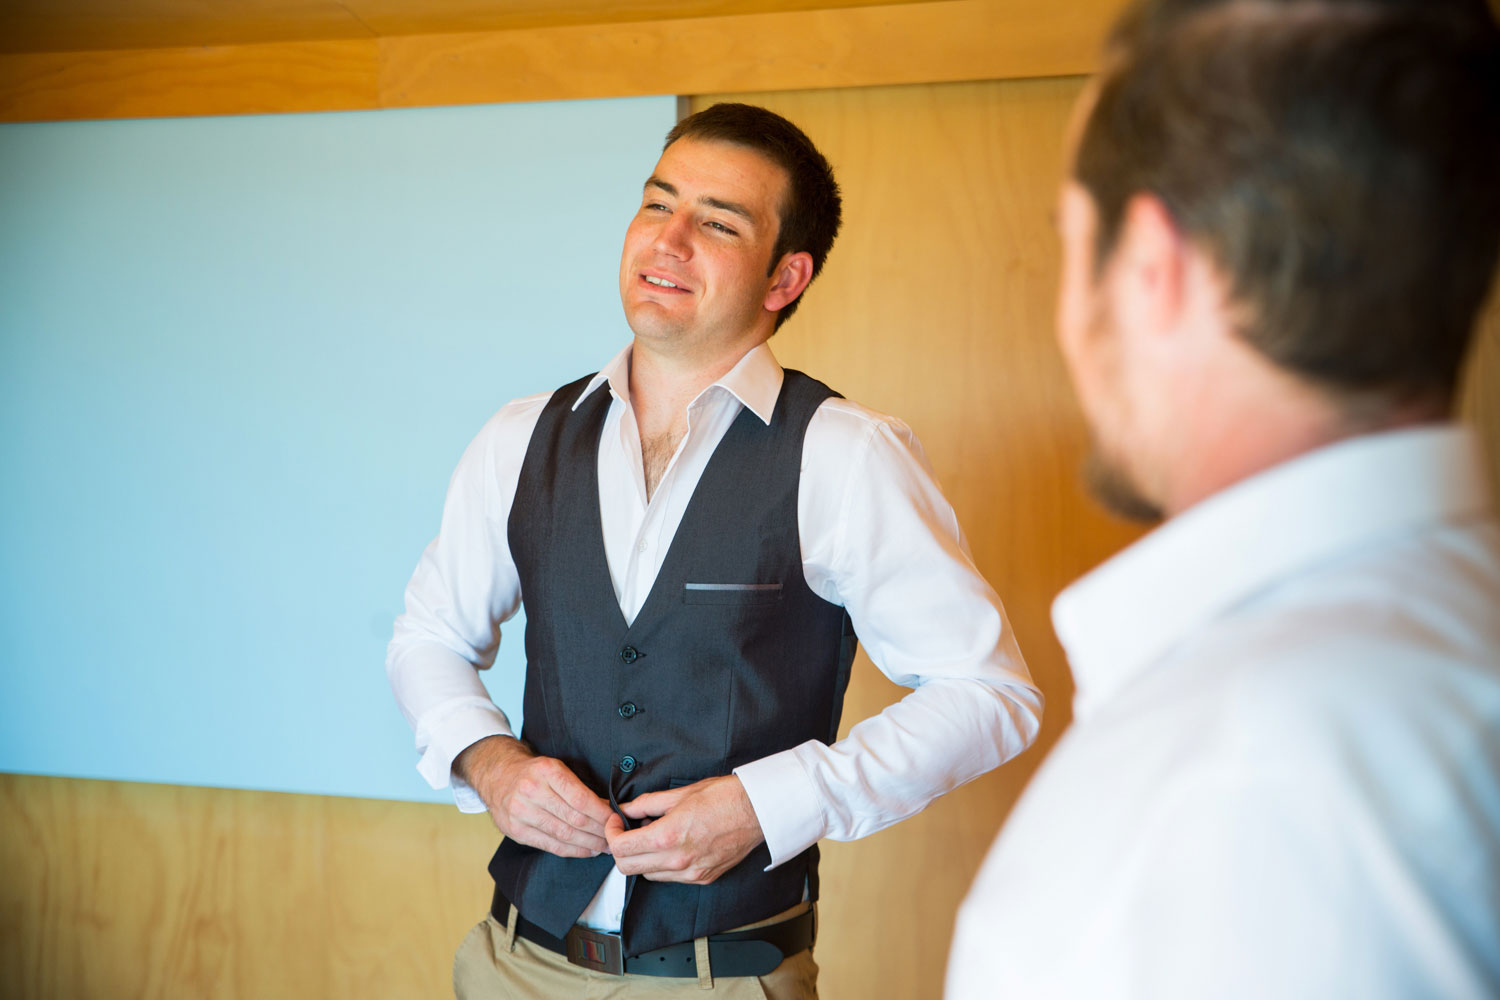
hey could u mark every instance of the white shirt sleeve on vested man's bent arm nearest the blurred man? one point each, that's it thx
(928, 620)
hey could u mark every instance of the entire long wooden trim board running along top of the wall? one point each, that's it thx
(851, 47)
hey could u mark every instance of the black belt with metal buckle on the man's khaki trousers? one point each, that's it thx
(754, 953)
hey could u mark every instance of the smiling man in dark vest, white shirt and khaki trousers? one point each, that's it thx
(697, 536)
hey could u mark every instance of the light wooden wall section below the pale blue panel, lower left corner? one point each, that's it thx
(113, 890)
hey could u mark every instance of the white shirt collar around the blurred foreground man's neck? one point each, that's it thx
(1129, 612)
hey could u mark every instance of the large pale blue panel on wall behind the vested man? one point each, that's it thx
(239, 359)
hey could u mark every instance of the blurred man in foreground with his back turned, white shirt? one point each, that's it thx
(1283, 779)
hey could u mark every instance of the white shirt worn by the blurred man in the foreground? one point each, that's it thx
(1283, 779)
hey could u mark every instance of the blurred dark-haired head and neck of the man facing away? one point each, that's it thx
(1282, 223)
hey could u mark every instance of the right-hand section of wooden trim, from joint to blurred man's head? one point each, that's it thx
(959, 40)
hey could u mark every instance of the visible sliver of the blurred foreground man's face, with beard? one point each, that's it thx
(1096, 355)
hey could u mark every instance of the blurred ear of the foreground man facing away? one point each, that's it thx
(1150, 269)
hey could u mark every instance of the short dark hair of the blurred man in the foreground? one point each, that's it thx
(1339, 160)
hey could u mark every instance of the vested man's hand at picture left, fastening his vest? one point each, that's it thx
(533, 800)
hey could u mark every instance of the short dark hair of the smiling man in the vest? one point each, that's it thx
(812, 209)
